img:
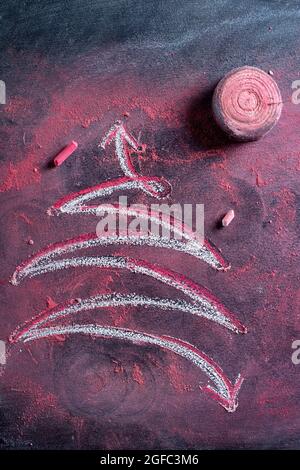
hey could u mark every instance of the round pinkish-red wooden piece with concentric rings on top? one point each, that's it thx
(247, 103)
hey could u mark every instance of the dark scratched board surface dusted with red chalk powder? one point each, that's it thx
(71, 69)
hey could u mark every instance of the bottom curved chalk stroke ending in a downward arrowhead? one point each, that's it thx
(222, 391)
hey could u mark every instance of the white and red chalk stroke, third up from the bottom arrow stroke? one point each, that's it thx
(201, 296)
